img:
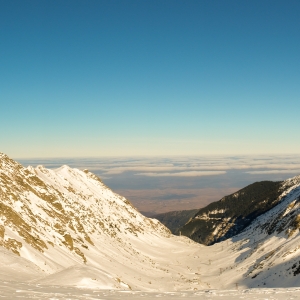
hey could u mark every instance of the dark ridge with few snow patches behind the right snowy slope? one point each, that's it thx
(232, 214)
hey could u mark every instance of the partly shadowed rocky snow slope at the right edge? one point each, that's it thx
(270, 245)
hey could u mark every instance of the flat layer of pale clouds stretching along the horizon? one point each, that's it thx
(179, 165)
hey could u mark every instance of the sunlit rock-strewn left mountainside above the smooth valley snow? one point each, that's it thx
(65, 206)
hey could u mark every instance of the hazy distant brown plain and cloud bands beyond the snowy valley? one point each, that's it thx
(159, 184)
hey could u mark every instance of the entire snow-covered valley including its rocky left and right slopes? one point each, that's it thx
(64, 227)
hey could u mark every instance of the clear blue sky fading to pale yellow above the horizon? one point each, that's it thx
(156, 77)
